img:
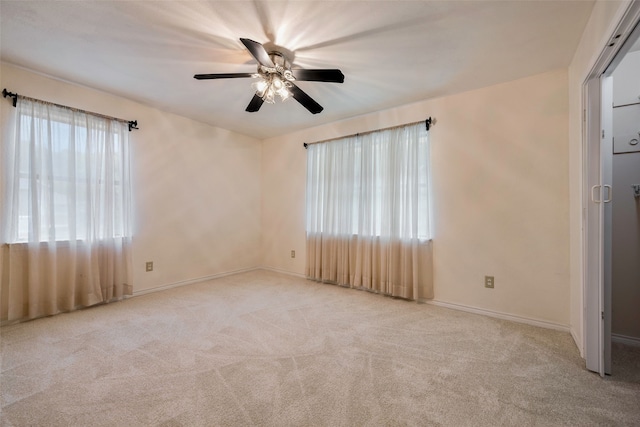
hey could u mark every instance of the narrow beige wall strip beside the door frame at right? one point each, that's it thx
(604, 18)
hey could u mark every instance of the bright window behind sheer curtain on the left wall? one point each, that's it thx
(72, 176)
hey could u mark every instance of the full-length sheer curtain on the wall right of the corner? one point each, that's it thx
(368, 212)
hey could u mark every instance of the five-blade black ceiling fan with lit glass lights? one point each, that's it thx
(276, 78)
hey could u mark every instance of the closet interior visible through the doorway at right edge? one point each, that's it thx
(624, 212)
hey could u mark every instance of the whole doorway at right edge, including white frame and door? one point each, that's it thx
(611, 165)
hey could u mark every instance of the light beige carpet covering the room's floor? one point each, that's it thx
(261, 348)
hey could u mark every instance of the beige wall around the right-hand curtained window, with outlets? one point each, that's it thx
(500, 180)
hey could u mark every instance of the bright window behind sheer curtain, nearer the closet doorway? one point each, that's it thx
(376, 184)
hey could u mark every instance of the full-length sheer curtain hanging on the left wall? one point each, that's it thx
(67, 217)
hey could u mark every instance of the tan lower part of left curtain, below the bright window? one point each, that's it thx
(42, 279)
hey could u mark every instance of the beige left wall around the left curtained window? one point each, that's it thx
(196, 188)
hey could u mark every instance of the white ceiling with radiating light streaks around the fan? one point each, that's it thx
(391, 52)
